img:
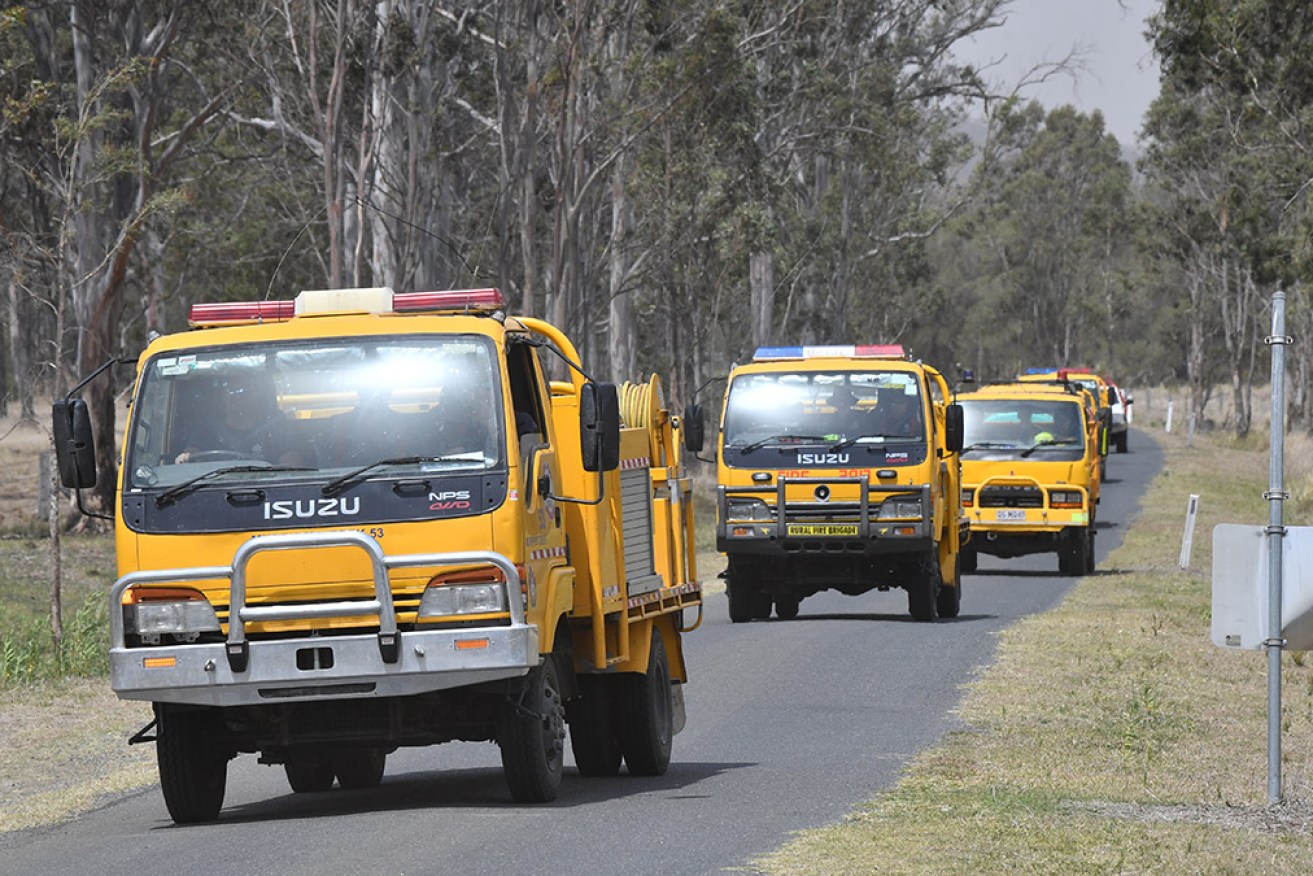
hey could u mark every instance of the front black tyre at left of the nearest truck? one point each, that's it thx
(194, 773)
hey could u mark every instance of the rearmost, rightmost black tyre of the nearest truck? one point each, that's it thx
(647, 715)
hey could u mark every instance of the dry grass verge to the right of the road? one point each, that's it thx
(1110, 736)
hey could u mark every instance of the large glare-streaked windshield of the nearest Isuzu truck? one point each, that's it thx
(317, 410)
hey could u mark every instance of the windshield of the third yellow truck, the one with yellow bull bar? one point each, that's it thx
(1022, 429)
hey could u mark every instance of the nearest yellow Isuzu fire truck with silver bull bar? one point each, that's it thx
(362, 521)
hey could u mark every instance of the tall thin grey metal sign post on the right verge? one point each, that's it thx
(1278, 341)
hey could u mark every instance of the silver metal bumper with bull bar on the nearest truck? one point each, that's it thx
(317, 668)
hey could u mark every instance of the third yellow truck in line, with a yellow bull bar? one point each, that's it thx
(1030, 473)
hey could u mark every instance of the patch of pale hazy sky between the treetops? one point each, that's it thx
(1119, 77)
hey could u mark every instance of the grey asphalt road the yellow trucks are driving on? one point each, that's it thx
(791, 724)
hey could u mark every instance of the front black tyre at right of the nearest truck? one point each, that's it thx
(532, 736)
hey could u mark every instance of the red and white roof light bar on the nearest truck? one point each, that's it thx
(346, 301)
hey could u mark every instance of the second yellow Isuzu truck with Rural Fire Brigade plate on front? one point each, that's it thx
(838, 471)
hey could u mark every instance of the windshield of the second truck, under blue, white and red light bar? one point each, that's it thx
(785, 410)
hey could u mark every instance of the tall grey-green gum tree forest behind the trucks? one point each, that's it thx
(672, 182)
